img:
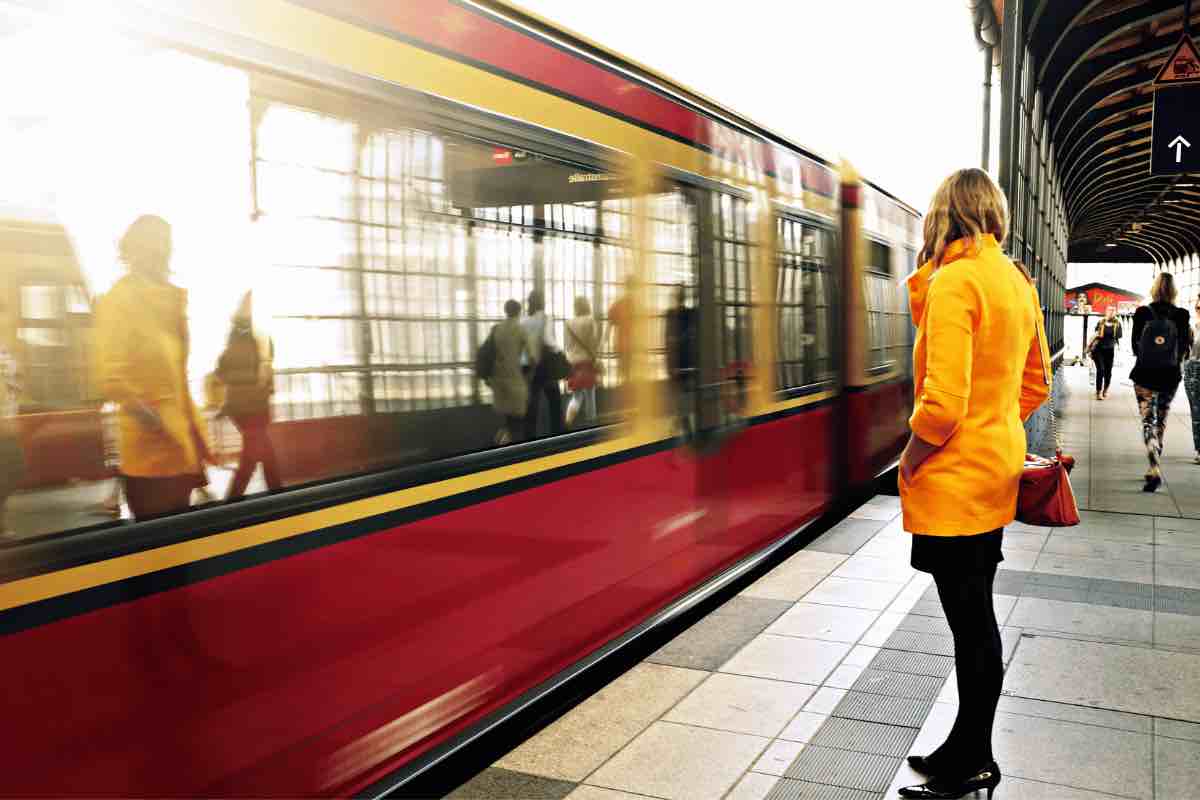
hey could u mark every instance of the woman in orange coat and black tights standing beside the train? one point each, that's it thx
(982, 369)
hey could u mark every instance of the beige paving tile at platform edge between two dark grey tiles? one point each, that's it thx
(584, 738)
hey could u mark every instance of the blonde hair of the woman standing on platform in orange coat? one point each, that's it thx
(967, 206)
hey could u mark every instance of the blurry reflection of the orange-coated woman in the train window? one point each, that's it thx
(142, 351)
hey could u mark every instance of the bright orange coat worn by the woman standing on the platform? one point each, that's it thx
(982, 369)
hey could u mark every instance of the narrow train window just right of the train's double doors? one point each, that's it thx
(805, 335)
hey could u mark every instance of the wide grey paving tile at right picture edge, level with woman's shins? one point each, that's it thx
(1139, 681)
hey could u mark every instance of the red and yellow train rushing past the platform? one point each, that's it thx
(385, 177)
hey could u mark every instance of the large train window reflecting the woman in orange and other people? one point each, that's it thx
(340, 267)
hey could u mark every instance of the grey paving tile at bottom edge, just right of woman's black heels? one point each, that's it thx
(1070, 754)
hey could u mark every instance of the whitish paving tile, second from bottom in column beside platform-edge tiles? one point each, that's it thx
(742, 705)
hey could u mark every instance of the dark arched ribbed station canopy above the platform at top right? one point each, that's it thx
(1095, 64)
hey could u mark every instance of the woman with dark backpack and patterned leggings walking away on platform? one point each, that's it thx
(1162, 339)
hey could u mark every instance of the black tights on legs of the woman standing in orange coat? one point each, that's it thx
(979, 661)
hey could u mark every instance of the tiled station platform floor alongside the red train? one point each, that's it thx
(817, 682)
